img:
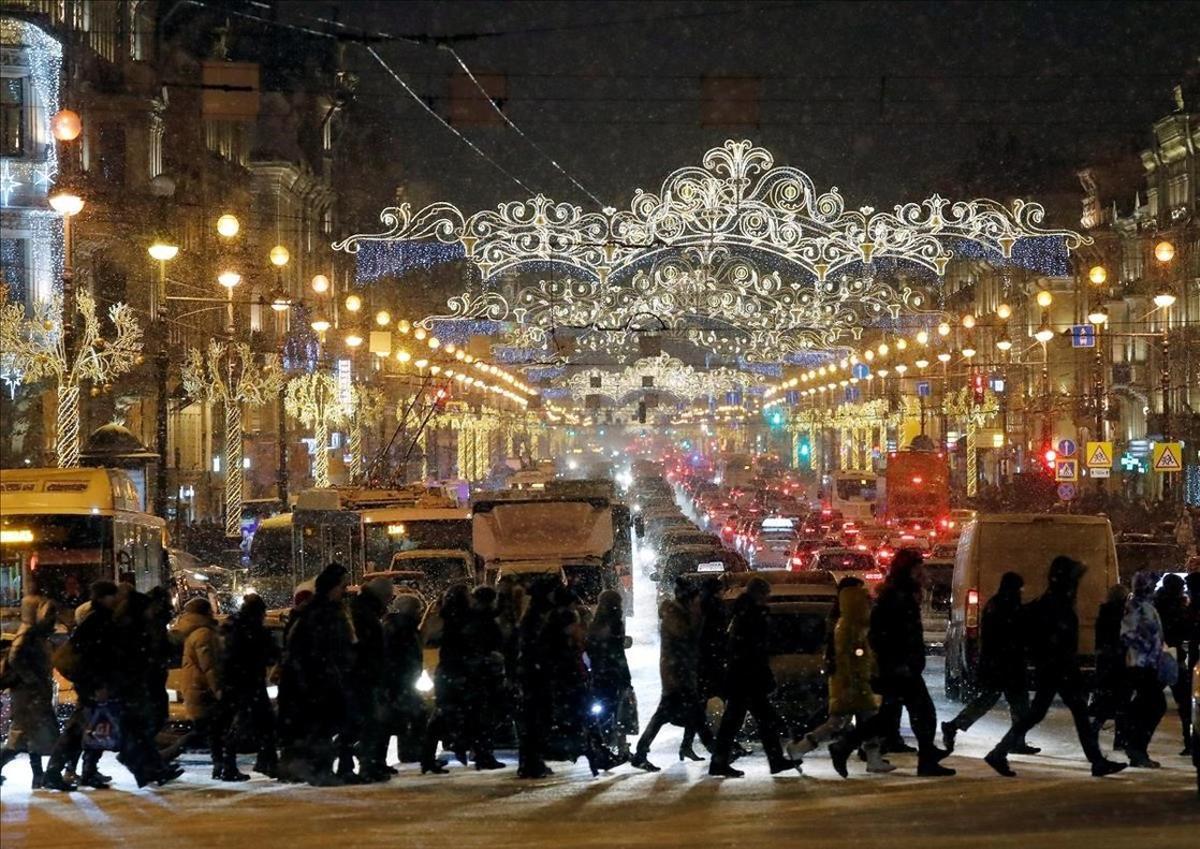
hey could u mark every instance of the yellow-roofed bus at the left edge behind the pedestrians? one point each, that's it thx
(70, 527)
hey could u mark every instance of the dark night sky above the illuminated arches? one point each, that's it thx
(889, 101)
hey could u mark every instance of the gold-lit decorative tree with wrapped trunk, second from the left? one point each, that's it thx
(232, 375)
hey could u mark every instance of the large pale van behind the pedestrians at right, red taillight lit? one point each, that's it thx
(1024, 544)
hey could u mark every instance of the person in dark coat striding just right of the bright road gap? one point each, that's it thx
(679, 660)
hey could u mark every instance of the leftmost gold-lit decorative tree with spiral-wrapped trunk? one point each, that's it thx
(37, 348)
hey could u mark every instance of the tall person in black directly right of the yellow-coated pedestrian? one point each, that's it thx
(899, 642)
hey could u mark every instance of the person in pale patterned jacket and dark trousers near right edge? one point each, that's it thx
(1143, 637)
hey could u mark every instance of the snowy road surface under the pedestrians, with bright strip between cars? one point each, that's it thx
(1055, 802)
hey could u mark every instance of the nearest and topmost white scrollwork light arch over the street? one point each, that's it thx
(737, 200)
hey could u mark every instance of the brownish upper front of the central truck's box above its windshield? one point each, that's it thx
(543, 531)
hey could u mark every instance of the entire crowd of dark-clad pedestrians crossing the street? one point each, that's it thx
(530, 661)
